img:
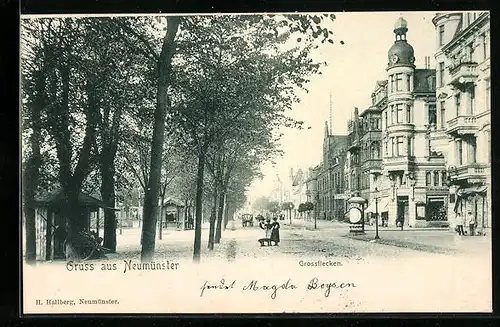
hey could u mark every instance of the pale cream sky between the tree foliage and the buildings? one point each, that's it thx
(350, 76)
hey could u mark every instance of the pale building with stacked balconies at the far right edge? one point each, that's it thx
(463, 101)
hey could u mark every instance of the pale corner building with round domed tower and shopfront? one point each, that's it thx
(413, 187)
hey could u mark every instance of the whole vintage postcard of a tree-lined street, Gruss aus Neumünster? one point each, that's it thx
(256, 163)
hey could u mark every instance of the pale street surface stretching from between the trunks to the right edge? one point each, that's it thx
(301, 240)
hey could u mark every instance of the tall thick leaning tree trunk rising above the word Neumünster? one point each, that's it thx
(153, 190)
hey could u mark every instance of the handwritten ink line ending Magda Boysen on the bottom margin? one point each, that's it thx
(273, 289)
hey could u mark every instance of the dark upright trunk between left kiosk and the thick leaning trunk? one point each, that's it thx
(108, 194)
